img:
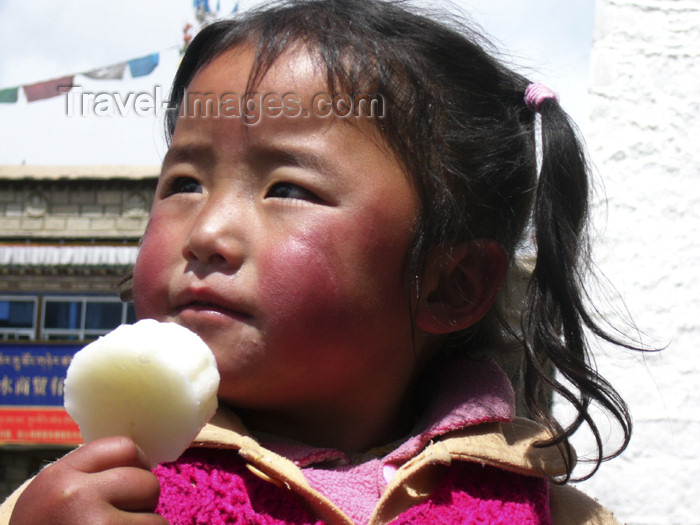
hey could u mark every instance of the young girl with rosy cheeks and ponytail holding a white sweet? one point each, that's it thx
(338, 216)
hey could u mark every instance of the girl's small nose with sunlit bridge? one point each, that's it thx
(215, 238)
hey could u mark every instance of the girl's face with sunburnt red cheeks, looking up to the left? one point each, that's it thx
(282, 243)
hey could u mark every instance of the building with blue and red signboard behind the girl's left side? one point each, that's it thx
(68, 236)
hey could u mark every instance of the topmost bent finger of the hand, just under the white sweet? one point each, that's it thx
(107, 453)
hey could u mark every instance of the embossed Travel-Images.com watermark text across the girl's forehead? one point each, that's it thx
(251, 108)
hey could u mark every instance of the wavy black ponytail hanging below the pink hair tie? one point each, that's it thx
(556, 315)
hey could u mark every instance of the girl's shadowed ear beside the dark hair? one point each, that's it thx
(459, 286)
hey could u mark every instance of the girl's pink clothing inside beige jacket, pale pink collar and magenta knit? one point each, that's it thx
(210, 486)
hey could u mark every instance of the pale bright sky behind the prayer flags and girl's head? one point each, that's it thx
(549, 40)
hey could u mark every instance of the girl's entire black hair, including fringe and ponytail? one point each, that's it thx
(456, 118)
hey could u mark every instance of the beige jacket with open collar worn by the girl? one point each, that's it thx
(506, 446)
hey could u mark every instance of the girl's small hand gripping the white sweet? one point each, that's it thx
(105, 482)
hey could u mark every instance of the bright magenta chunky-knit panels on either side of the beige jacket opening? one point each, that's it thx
(213, 487)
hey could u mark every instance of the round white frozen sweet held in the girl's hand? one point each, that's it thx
(153, 382)
